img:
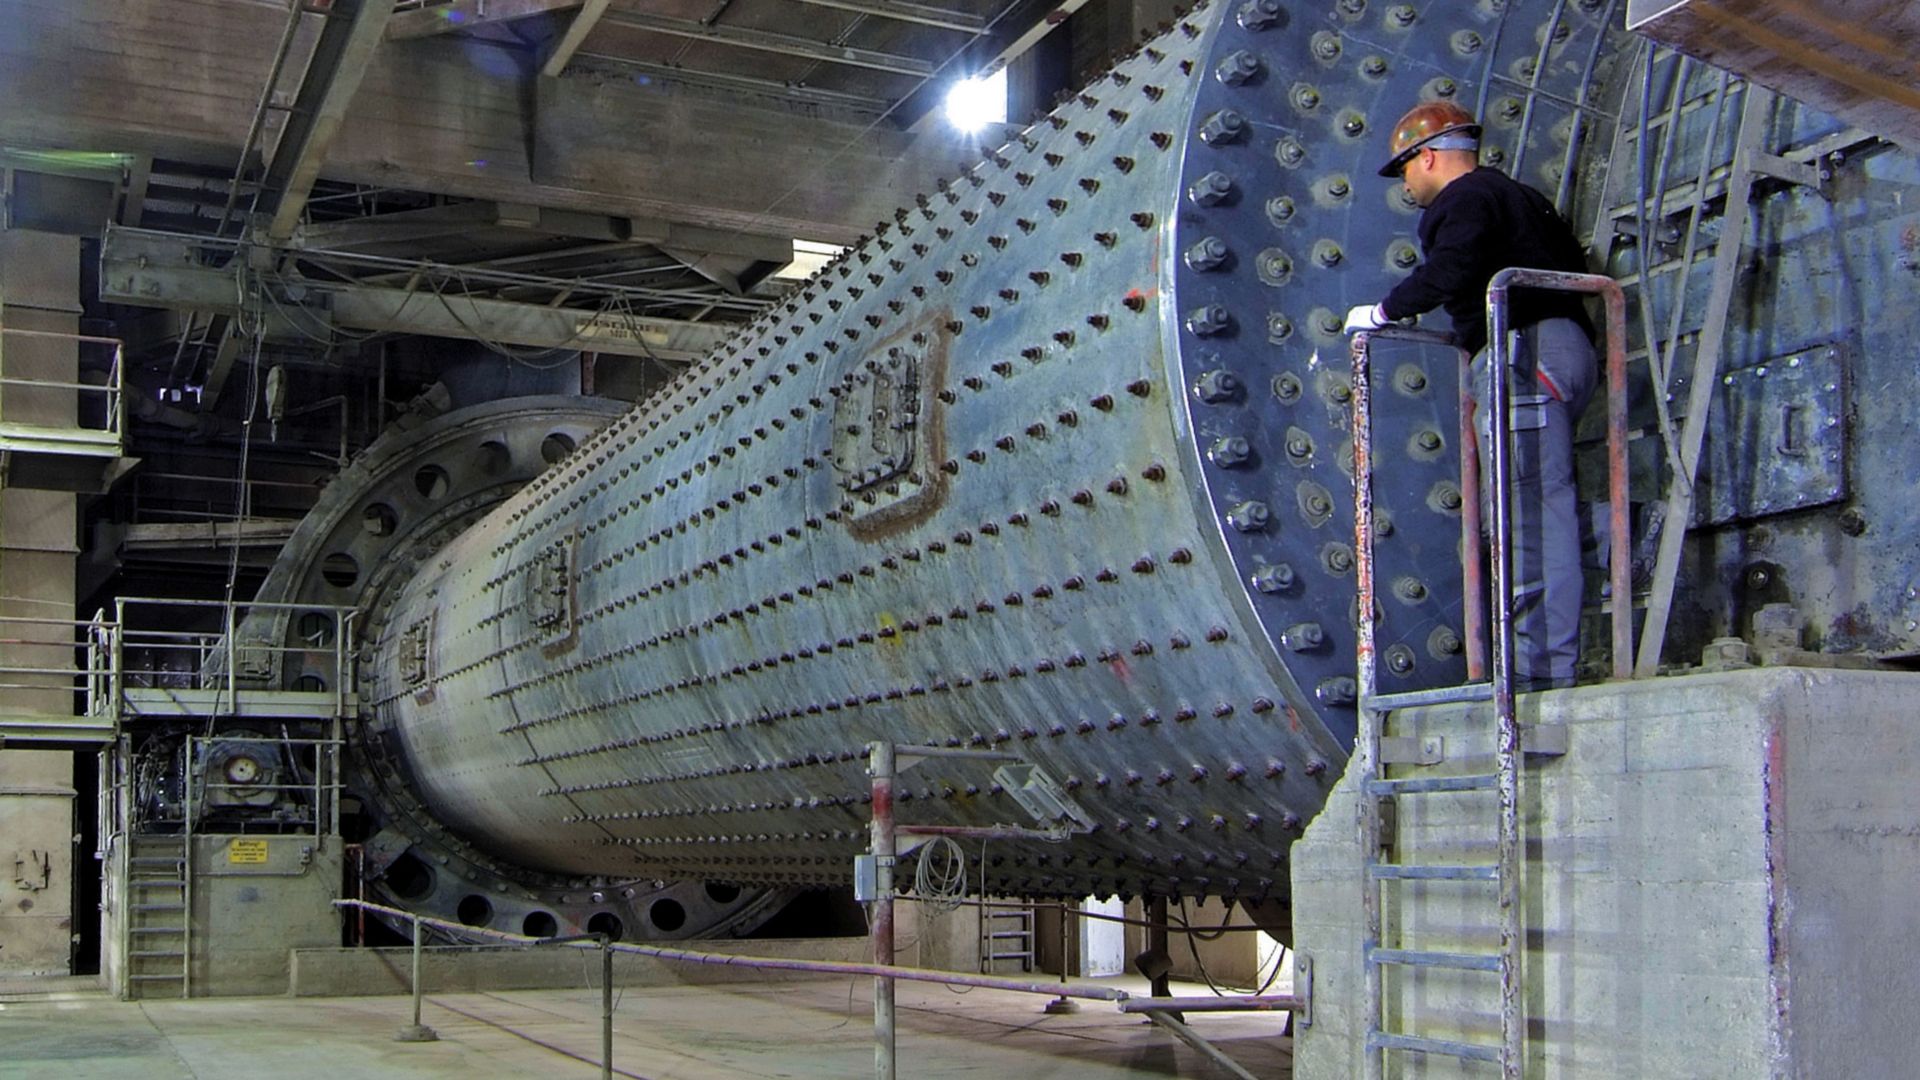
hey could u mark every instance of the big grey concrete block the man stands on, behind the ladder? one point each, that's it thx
(1719, 883)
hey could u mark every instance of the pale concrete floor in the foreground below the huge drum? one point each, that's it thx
(798, 1029)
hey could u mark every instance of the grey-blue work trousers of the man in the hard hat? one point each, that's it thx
(1554, 378)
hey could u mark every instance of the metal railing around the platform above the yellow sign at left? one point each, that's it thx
(197, 647)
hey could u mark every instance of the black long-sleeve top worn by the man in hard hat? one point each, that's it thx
(1479, 226)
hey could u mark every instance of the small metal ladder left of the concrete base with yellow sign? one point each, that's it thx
(158, 927)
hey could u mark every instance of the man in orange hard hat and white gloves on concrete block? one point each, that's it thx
(1477, 222)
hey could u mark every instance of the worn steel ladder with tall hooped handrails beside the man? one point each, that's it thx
(1378, 749)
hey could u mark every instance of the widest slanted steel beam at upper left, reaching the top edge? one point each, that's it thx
(348, 41)
